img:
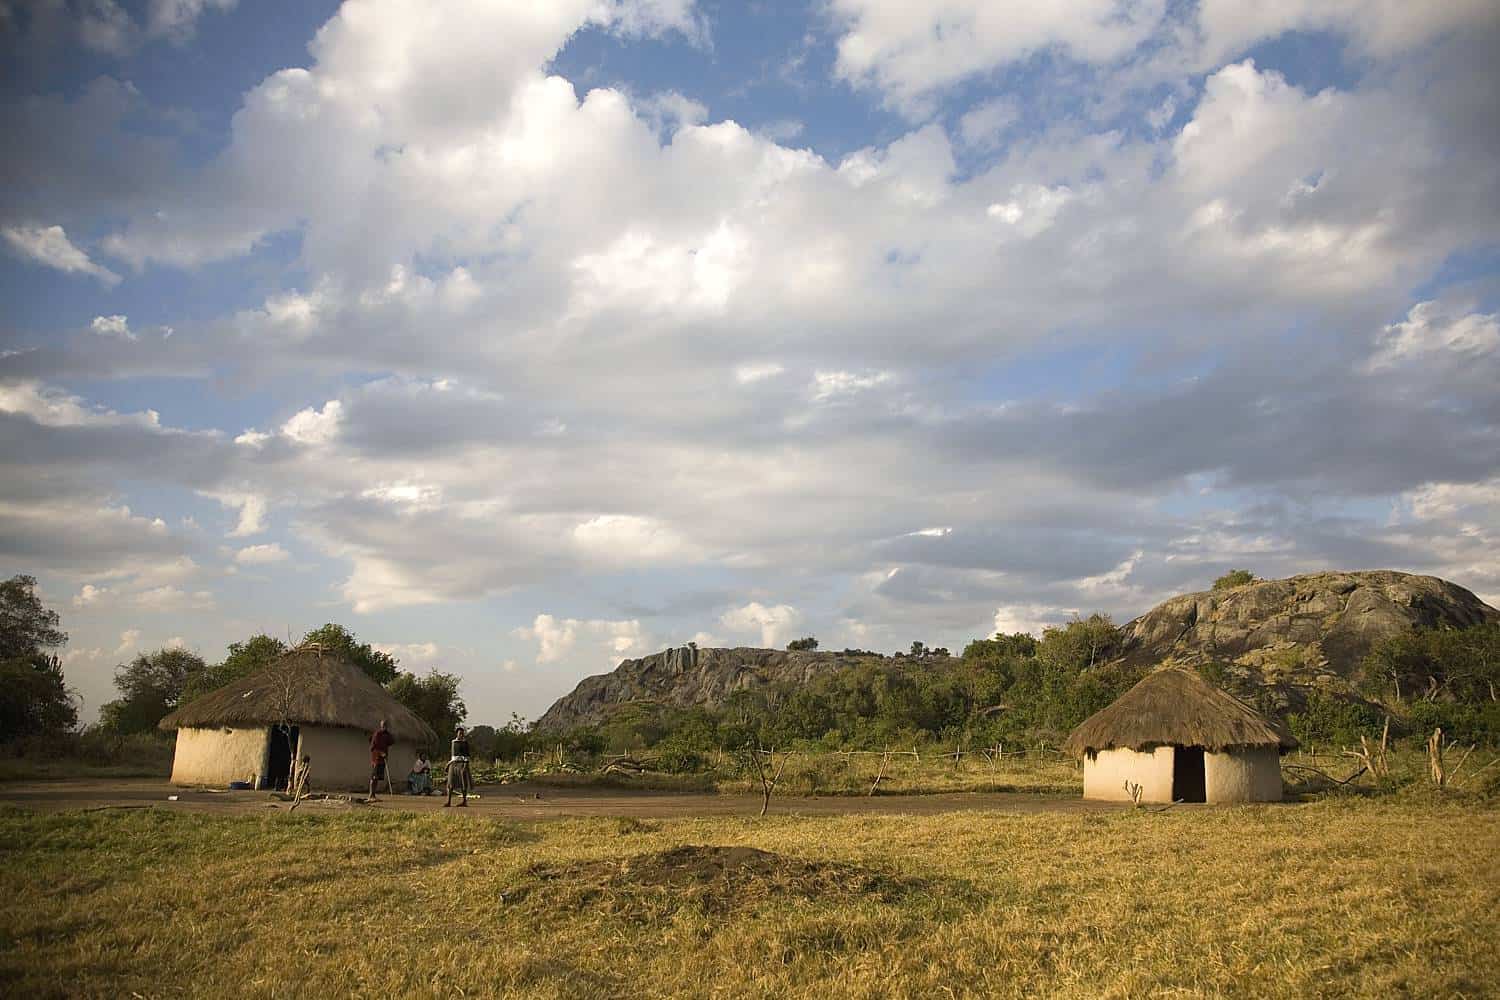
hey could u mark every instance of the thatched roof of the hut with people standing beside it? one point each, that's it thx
(319, 689)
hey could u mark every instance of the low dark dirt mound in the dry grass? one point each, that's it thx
(709, 879)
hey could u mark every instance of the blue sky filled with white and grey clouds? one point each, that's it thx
(524, 338)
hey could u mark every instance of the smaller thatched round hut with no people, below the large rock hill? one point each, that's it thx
(1180, 740)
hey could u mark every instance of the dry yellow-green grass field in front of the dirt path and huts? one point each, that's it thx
(1351, 897)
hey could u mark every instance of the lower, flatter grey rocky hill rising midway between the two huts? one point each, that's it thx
(685, 677)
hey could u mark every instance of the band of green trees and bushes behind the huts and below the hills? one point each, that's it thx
(1007, 689)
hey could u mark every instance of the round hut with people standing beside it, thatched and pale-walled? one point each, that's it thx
(308, 704)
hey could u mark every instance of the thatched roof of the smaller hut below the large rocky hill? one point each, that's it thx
(1177, 708)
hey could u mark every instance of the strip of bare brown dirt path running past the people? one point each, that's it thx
(530, 803)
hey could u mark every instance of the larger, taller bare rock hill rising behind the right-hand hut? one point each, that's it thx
(1306, 630)
